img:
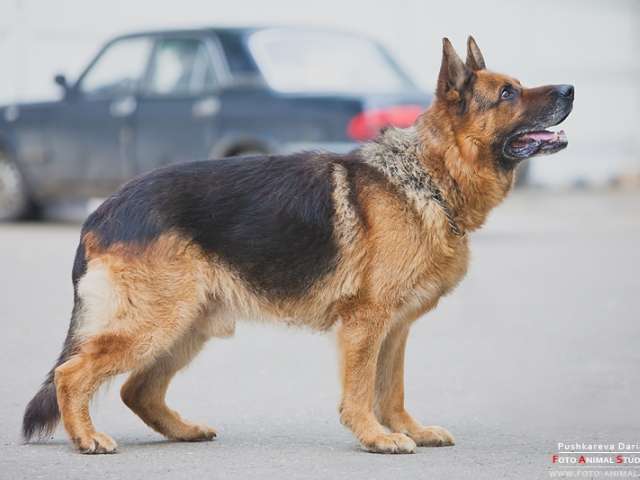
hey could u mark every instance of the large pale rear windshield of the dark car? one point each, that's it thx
(316, 61)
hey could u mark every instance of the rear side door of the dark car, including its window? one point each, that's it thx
(178, 105)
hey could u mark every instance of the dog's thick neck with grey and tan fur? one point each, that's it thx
(428, 159)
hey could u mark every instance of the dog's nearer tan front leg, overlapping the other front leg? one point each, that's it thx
(360, 338)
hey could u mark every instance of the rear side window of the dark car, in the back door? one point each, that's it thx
(181, 66)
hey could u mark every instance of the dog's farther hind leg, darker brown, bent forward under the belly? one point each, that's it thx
(145, 390)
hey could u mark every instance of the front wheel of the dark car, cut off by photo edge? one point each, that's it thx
(14, 201)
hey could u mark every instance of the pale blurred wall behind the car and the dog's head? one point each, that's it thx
(593, 44)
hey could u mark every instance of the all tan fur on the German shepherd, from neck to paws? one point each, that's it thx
(150, 310)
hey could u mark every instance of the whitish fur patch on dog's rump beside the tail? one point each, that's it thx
(99, 299)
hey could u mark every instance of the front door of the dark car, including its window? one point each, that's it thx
(92, 135)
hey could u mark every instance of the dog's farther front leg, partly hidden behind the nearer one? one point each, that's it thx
(390, 393)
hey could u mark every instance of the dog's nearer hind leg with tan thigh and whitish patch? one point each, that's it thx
(134, 311)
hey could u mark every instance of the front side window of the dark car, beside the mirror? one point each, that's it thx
(119, 70)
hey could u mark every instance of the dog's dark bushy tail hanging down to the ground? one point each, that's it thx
(42, 414)
